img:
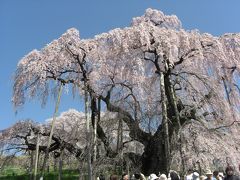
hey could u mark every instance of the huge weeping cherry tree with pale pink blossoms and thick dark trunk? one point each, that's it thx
(155, 75)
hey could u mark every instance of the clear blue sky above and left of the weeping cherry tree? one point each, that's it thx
(30, 24)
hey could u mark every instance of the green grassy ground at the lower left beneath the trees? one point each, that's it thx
(20, 174)
